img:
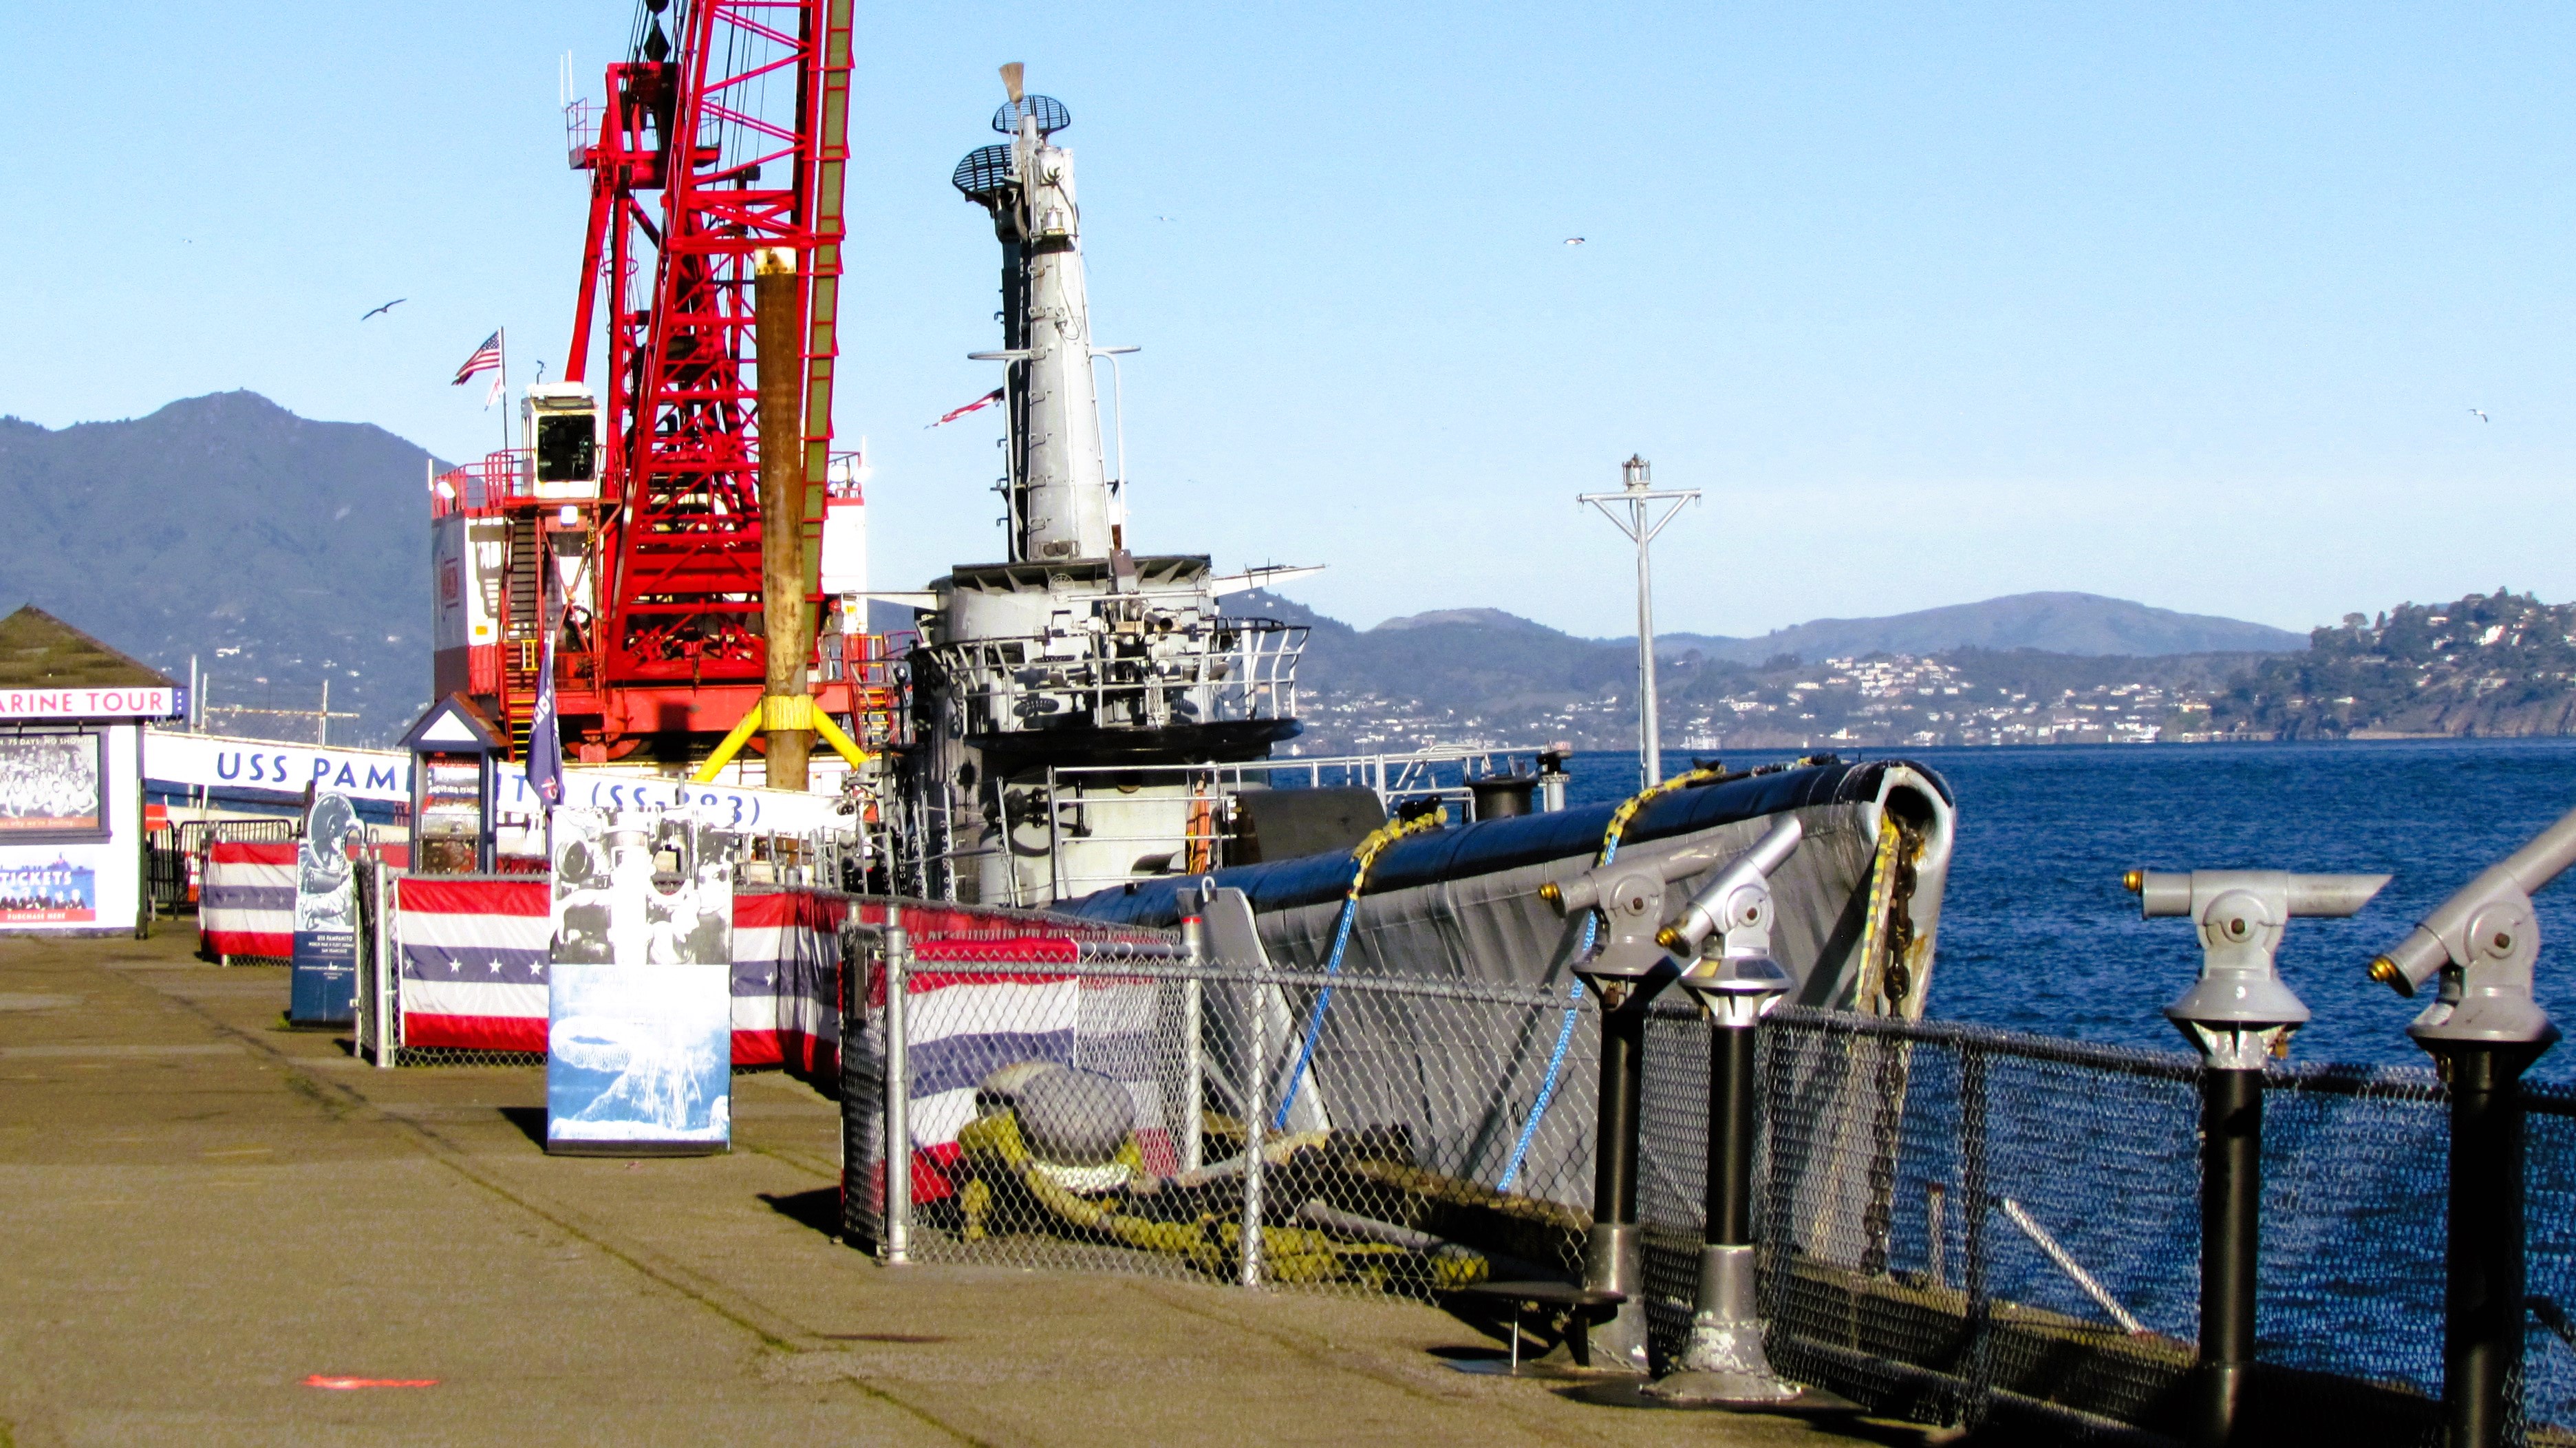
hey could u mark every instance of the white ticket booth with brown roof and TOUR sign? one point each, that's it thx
(73, 779)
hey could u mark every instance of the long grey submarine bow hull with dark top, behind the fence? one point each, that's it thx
(1464, 906)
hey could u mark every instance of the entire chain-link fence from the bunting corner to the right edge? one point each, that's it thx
(1956, 1225)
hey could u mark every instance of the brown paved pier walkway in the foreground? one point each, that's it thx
(202, 1210)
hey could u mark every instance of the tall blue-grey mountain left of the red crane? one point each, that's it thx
(274, 550)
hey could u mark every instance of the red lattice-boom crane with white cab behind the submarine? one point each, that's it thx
(723, 138)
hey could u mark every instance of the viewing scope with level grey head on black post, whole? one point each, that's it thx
(2237, 1014)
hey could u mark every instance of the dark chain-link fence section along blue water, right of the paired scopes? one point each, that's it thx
(1964, 1223)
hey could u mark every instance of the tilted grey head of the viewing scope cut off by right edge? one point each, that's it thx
(2485, 942)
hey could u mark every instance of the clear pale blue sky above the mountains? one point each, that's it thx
(1936, 303)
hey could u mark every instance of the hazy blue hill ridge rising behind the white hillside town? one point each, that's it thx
(2049, 622)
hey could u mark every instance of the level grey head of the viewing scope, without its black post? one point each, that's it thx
(2240, 1011)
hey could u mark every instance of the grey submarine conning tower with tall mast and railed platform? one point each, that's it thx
(1075, 653)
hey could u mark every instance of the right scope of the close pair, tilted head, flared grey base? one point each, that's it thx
(1738, 983)
